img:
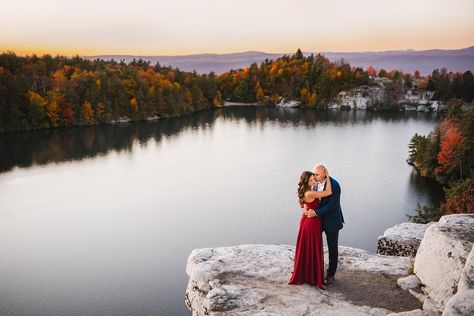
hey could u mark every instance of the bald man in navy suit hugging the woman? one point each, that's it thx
(331, 214)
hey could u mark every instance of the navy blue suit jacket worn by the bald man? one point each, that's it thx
(330, 209)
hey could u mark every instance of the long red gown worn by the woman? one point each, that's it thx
(309, 258)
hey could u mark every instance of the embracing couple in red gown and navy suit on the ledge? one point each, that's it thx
(319, 196)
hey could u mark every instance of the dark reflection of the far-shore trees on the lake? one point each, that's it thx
(25, 149)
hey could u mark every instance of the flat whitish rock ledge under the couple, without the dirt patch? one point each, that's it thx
(253, 280)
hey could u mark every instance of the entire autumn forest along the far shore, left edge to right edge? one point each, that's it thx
(44, 92)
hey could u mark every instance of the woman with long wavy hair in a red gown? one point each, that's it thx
(309, 258)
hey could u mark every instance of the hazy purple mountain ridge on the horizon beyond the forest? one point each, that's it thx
(457, 60)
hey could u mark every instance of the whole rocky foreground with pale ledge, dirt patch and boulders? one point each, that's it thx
(253, 279)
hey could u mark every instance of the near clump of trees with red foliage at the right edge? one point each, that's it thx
(447, 156)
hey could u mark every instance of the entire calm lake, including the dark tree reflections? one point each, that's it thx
(101, 220)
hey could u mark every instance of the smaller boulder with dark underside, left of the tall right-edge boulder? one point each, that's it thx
(401, 240)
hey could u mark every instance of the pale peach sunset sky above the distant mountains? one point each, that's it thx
(184, 27)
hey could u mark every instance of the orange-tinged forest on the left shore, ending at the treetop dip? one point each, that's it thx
(44, 92)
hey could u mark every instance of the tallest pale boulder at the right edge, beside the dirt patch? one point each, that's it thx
(442, 256)
